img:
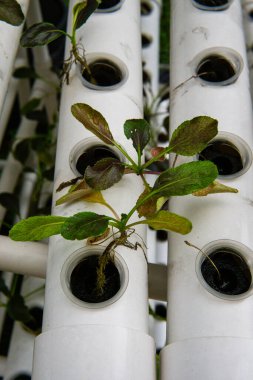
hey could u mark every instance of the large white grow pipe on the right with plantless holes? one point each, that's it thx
(209, 333)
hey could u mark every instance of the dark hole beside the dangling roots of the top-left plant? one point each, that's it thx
(104, 72)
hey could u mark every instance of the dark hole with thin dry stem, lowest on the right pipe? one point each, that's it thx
(235, 274)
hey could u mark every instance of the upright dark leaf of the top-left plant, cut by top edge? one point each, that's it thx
(82, 11)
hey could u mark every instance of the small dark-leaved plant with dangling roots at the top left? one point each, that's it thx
(43, 33)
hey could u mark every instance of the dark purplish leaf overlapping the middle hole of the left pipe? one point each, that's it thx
(104, 174)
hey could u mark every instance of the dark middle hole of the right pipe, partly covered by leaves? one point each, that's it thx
(224, 155)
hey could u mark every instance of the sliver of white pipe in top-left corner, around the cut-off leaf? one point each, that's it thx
(9, 42)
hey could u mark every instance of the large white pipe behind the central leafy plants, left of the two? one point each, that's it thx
(123, 325)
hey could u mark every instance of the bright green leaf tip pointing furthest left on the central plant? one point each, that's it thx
(37, 228)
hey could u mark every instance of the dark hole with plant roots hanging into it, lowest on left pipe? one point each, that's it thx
(83, 281)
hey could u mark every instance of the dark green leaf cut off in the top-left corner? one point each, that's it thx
(11, 12)
